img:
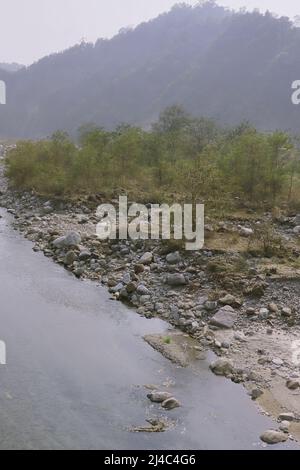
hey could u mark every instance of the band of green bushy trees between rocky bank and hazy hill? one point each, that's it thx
(189, 158)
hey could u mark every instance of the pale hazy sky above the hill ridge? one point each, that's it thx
(30, 29)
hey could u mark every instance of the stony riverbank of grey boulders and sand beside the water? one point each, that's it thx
(228, 297)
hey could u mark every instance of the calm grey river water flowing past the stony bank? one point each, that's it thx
(77, 363)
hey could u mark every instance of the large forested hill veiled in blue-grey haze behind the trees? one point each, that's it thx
(216, 63)
